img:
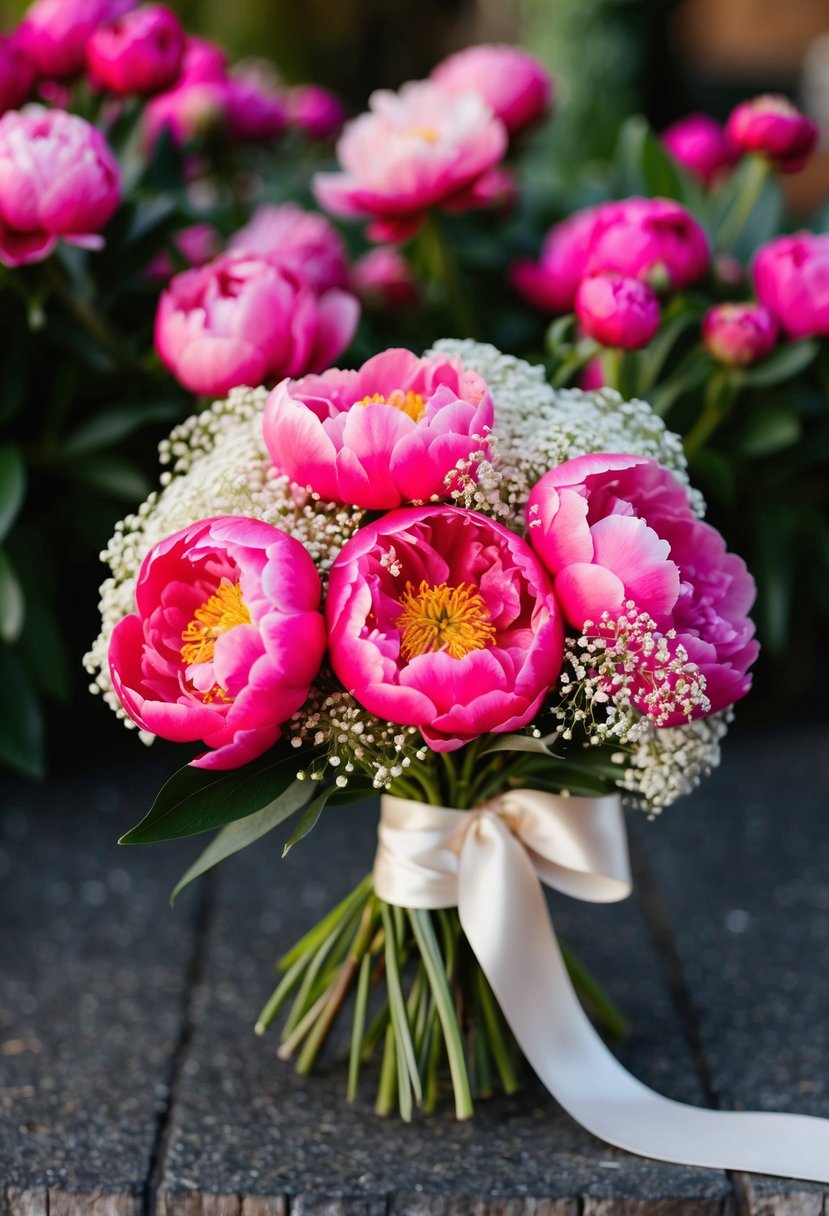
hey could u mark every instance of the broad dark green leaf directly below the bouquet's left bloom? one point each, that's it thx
(199, 800)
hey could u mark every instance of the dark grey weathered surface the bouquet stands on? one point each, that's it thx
(132, 1083)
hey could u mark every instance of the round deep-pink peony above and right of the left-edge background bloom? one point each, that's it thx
(142, 53)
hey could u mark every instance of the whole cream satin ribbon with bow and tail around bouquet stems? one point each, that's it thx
(488, 863)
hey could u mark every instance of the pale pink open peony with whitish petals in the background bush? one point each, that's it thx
(416, 149)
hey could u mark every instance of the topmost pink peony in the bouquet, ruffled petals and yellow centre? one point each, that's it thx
(392, 432)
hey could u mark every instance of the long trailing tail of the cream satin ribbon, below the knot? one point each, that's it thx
(505, 917)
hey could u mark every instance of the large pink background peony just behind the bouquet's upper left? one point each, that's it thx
(244, 319)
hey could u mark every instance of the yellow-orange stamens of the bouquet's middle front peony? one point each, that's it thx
(437, 617)
